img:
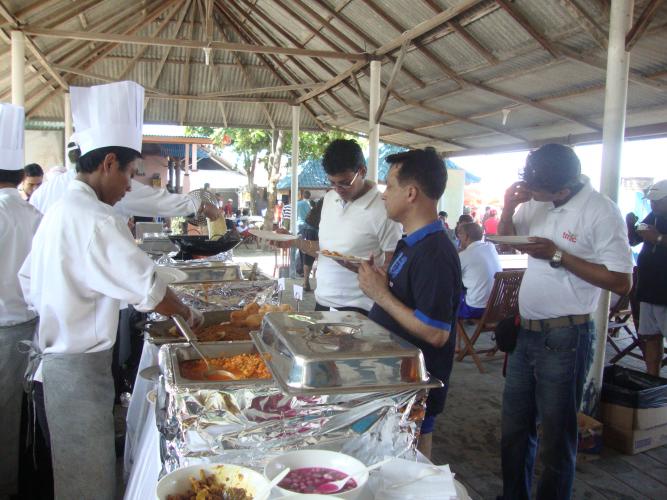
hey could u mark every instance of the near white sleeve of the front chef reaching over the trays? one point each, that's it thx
(117, 268)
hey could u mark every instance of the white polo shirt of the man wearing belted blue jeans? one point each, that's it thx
(589, 226)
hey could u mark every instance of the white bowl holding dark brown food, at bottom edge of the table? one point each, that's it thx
(178, 481)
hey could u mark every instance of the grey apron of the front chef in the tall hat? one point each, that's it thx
(78, 397)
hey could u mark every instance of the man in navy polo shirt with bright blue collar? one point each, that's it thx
(417, 297)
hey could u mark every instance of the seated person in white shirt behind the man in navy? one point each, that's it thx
(479, 265)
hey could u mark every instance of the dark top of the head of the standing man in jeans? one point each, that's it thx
(551, 168)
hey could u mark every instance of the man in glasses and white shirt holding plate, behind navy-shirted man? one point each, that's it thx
(354, 222)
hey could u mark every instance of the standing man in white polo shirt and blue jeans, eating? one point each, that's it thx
(578, 246)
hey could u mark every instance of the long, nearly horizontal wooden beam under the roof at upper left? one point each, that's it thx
(191, 44)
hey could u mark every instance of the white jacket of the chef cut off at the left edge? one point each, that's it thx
(18, 224)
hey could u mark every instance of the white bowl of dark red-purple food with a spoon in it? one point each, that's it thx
(318, 458)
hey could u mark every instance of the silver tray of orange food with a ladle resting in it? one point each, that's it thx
(183, 352)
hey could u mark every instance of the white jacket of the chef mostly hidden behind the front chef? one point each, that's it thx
(142, 200)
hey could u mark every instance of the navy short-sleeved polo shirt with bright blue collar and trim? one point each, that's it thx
(425, 275)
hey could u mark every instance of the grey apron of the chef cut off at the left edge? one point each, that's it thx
(12, 366)
